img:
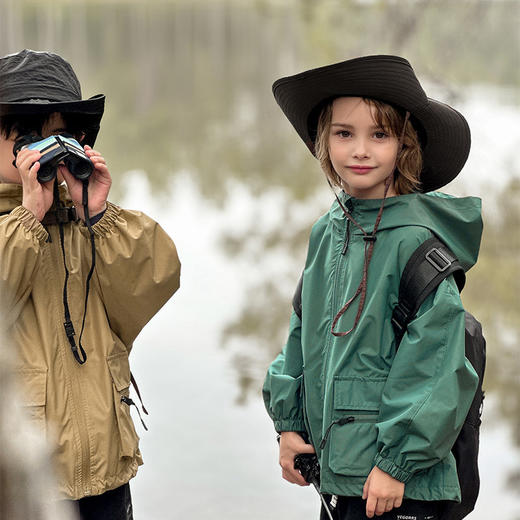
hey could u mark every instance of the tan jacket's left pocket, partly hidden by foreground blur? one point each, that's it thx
(33, 382)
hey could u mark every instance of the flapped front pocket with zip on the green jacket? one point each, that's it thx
(353, 431)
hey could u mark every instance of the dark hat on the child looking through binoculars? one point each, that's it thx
(34, 82)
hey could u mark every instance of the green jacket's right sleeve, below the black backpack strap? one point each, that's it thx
(429, 389)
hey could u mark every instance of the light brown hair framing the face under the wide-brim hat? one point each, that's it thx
(409, 161)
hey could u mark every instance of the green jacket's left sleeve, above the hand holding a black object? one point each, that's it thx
(283, 383)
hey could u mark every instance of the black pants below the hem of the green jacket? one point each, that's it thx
(353, 508)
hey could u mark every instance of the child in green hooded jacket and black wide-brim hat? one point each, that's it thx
(382, 421)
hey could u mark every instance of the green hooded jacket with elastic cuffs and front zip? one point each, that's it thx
(409, 406)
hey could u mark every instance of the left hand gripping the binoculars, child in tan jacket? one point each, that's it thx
(37, 197)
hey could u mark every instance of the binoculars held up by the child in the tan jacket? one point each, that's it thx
(56, 149)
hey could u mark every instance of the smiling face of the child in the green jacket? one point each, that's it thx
(361, 152)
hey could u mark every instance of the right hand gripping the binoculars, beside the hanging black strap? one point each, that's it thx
(98, 186)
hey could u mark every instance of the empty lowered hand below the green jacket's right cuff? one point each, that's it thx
(382, 492)
